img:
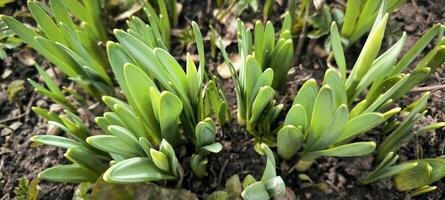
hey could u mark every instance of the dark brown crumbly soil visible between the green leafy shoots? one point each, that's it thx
(331, 178)
